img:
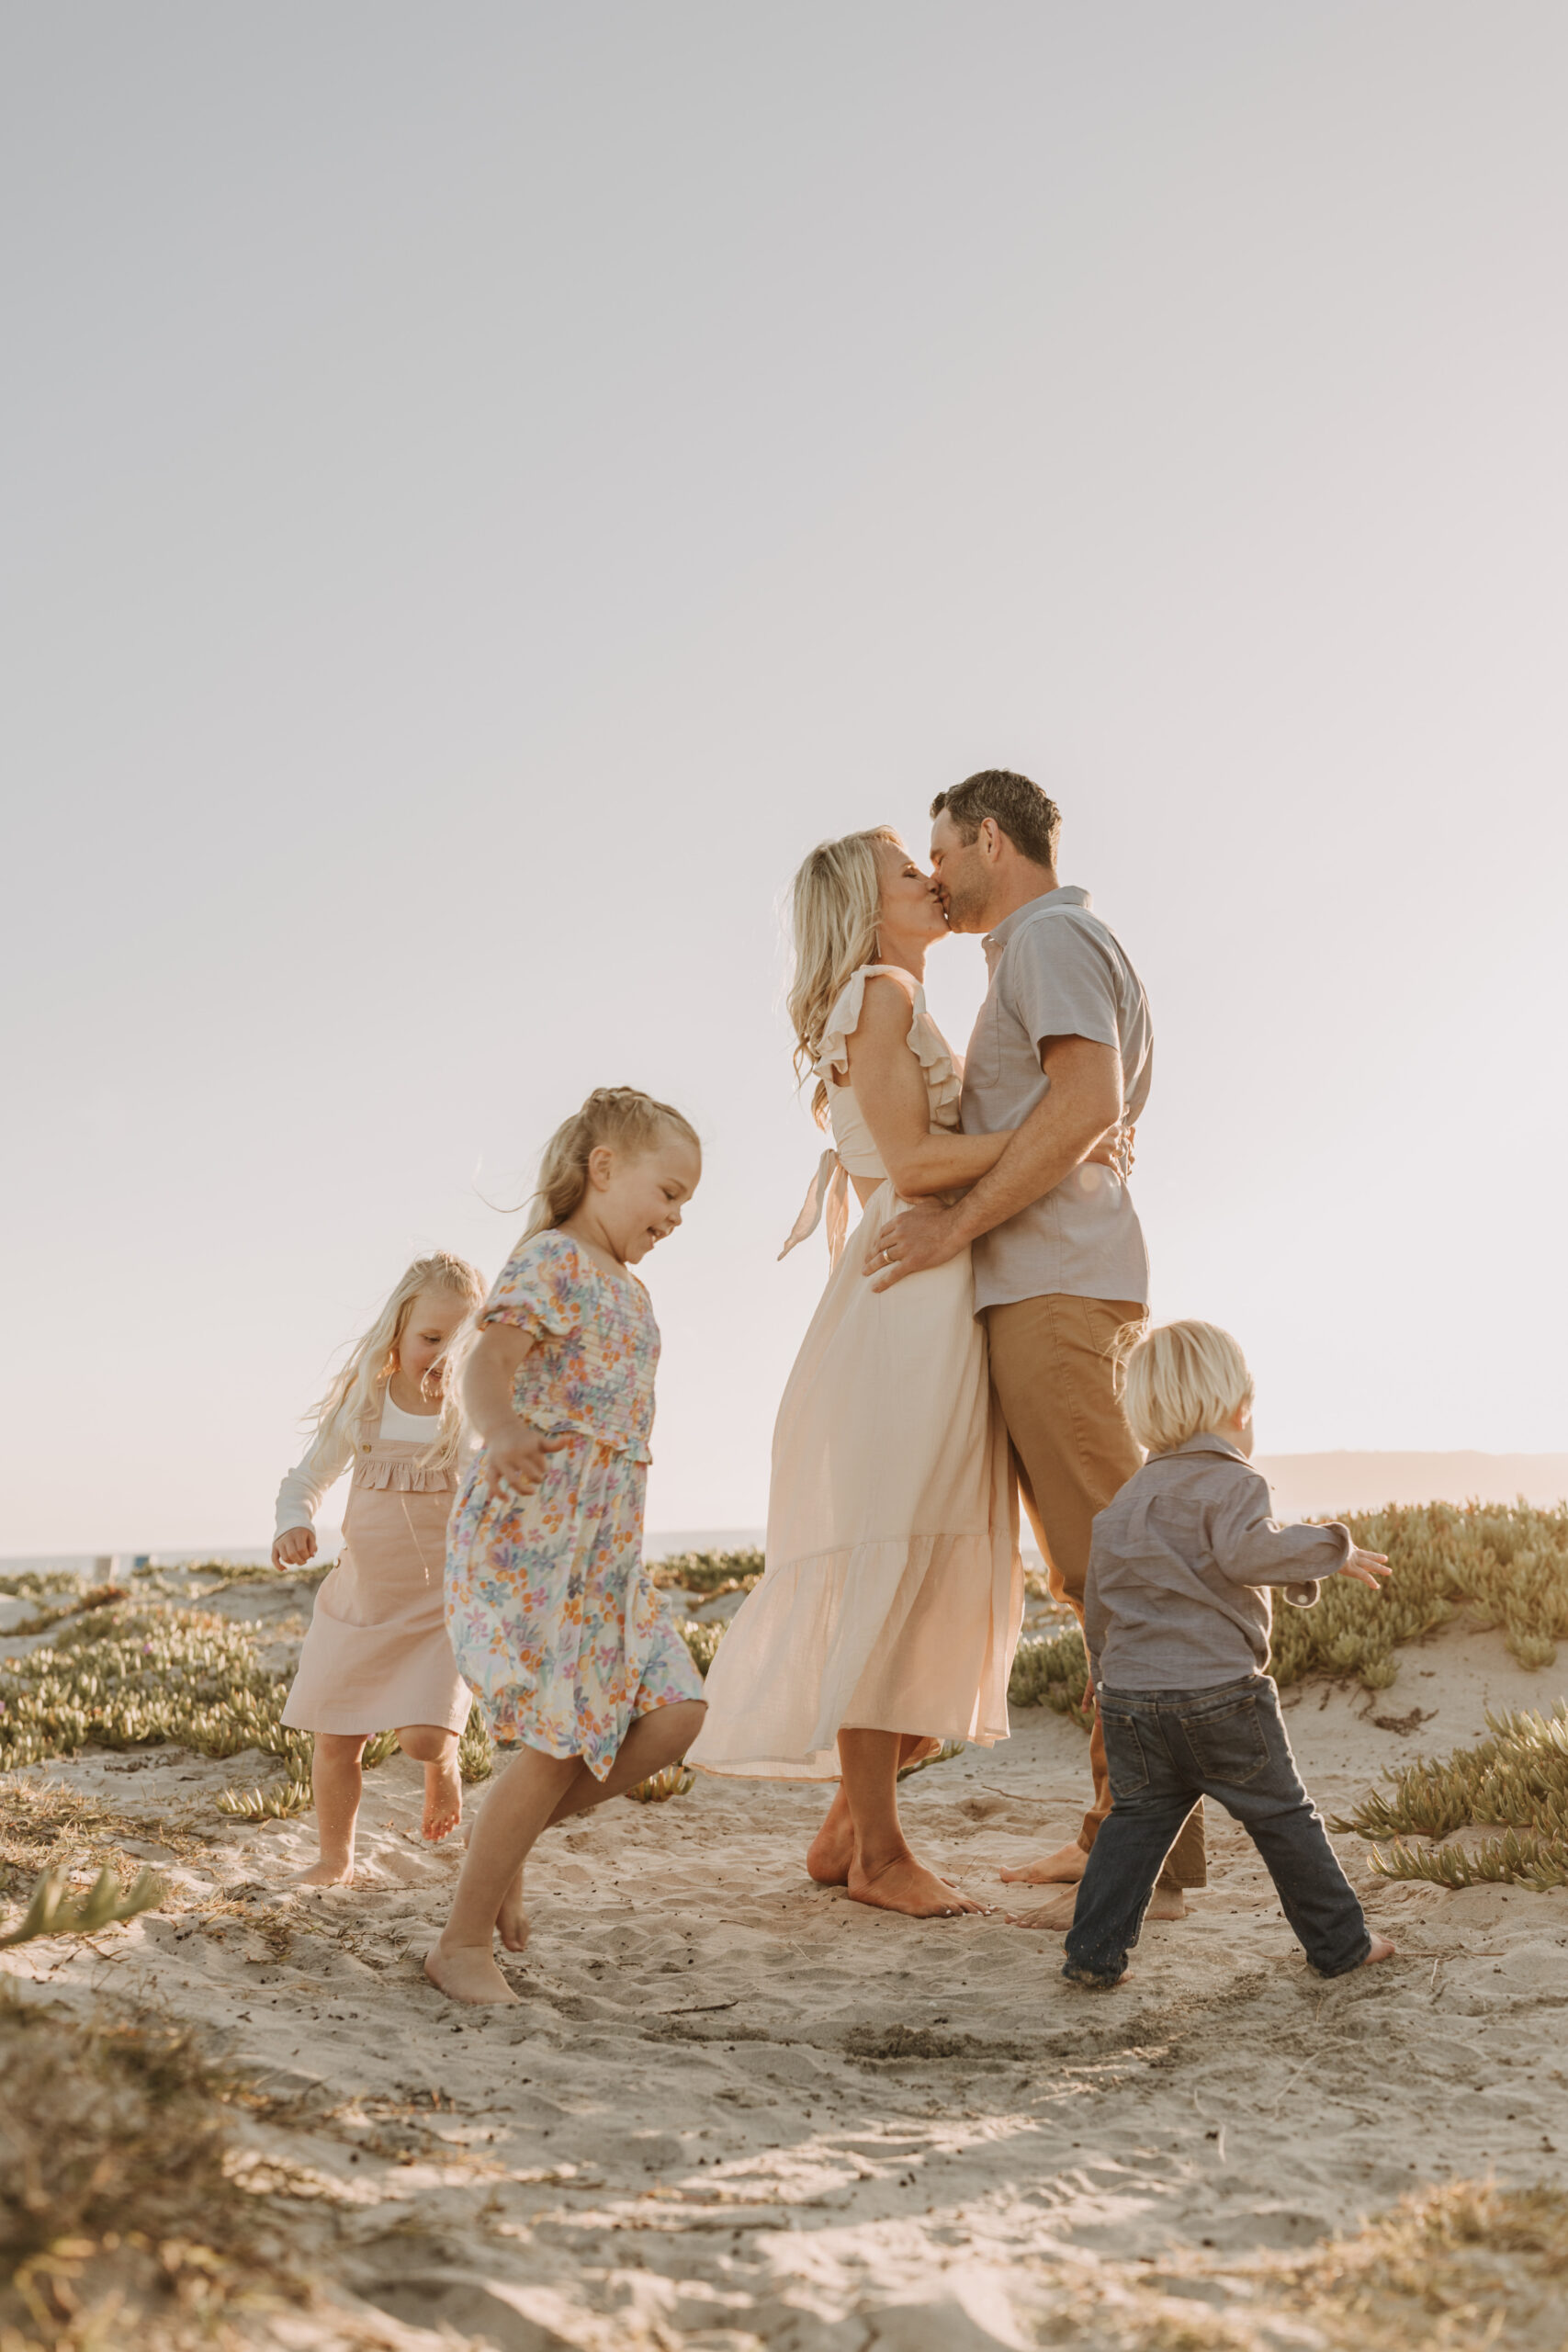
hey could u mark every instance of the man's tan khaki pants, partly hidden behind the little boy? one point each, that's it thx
(1054, 1370)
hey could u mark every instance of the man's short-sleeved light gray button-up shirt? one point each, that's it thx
(1059, 973)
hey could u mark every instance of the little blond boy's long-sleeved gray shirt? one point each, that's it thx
(1181, 1568)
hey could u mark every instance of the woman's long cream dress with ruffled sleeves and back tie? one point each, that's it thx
(894, 1591)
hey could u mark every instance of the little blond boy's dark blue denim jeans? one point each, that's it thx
(1165, 1749)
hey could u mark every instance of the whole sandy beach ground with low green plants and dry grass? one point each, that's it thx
(739, 2111)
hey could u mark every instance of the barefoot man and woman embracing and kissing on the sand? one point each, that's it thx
(965, 1351)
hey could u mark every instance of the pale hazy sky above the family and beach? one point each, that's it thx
(492, 486)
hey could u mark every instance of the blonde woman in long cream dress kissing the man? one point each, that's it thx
(894, 1593)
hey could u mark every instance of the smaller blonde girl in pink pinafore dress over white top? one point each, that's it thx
(377, 1652)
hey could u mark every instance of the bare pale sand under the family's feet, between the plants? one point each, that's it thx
(735, 2109)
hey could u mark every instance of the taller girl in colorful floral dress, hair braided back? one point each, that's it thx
(551, 1612)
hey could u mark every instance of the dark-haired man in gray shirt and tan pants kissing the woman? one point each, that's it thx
(1061, 1053)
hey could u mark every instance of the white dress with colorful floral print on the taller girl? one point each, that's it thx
(551, 1612)
